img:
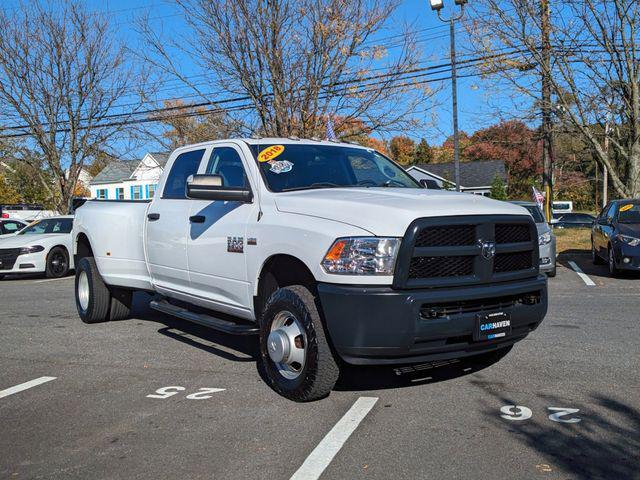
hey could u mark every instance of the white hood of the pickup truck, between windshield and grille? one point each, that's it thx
(388, 211)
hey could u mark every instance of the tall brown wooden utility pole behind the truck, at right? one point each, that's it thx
(547, 140)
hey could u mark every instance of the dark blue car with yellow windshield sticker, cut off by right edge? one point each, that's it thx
(615, 236)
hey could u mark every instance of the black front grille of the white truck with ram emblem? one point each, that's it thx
(451, 251)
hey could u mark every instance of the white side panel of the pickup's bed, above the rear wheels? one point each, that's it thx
(116, 230)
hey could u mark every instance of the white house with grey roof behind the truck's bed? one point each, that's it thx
(129, 179)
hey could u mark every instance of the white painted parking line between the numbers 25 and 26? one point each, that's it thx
(331, 444)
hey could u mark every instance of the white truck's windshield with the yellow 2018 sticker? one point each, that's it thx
(300, 167)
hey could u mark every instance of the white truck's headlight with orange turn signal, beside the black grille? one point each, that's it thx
(362, 256)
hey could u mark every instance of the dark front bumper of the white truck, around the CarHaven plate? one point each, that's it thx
(379, 325)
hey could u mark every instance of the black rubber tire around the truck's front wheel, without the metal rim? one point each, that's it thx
(320, 371)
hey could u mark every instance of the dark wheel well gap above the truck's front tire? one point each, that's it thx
(281, 271)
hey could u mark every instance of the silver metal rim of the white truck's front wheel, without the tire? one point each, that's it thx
(286, 345)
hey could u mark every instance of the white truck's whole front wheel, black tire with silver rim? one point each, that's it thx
(296, 356)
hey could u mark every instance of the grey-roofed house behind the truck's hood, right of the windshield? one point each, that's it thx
(475, 177)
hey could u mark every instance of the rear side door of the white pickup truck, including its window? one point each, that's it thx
(168, 226)
